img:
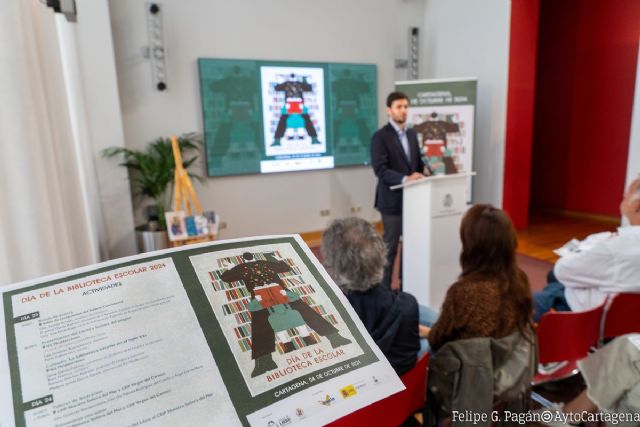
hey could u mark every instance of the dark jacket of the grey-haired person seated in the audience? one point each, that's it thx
(391, 318)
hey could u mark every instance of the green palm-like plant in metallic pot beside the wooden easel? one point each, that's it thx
(152, 173)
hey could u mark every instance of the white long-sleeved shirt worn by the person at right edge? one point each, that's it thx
(610, 264)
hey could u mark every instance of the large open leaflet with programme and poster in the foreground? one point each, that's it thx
(244, 332)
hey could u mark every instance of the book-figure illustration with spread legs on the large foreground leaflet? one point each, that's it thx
(275, 309)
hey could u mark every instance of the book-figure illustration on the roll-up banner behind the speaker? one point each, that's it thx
(434, 139)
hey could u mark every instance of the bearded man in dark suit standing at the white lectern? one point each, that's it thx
(396, 158)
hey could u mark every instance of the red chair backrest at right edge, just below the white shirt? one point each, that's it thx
(622, 316)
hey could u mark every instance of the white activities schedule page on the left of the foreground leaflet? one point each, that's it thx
(99, 349)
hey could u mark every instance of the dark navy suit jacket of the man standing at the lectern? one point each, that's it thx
(390, 165)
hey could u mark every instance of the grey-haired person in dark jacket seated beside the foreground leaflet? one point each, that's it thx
(355, 255)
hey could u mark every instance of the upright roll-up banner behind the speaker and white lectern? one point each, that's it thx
(442, 112)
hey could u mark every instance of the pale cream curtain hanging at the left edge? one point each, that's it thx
(46, 221)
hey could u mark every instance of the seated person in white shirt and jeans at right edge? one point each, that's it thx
(605, 264)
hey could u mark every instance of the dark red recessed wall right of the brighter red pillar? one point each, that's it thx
(587, 53)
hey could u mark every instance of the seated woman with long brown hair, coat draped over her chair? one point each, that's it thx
(483, 341)
